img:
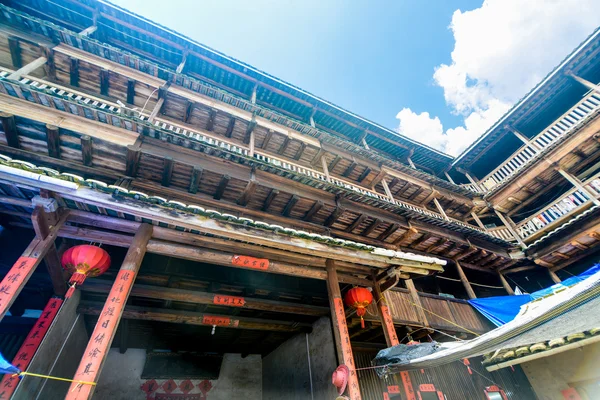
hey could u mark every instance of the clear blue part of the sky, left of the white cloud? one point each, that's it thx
(372, 58)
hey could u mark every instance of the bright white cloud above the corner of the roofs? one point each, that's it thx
(502, 50)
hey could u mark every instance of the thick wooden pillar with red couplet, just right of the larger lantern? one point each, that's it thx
(97, 349)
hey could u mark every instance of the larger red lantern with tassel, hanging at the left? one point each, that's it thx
(83, 261)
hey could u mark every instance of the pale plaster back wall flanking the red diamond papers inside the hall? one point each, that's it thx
(239, 378)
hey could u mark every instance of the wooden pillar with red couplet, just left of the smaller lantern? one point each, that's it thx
(340, 329)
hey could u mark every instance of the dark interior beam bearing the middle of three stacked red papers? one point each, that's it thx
(199, 297)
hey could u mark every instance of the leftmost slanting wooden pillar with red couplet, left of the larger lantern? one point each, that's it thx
(23, 268)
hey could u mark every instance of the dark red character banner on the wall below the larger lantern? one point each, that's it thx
(30, 345)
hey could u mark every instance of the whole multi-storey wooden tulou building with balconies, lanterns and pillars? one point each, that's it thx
(177, 224)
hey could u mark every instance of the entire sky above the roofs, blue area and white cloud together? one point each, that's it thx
(439, 71)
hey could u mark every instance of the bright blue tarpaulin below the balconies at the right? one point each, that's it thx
(503, 309)
